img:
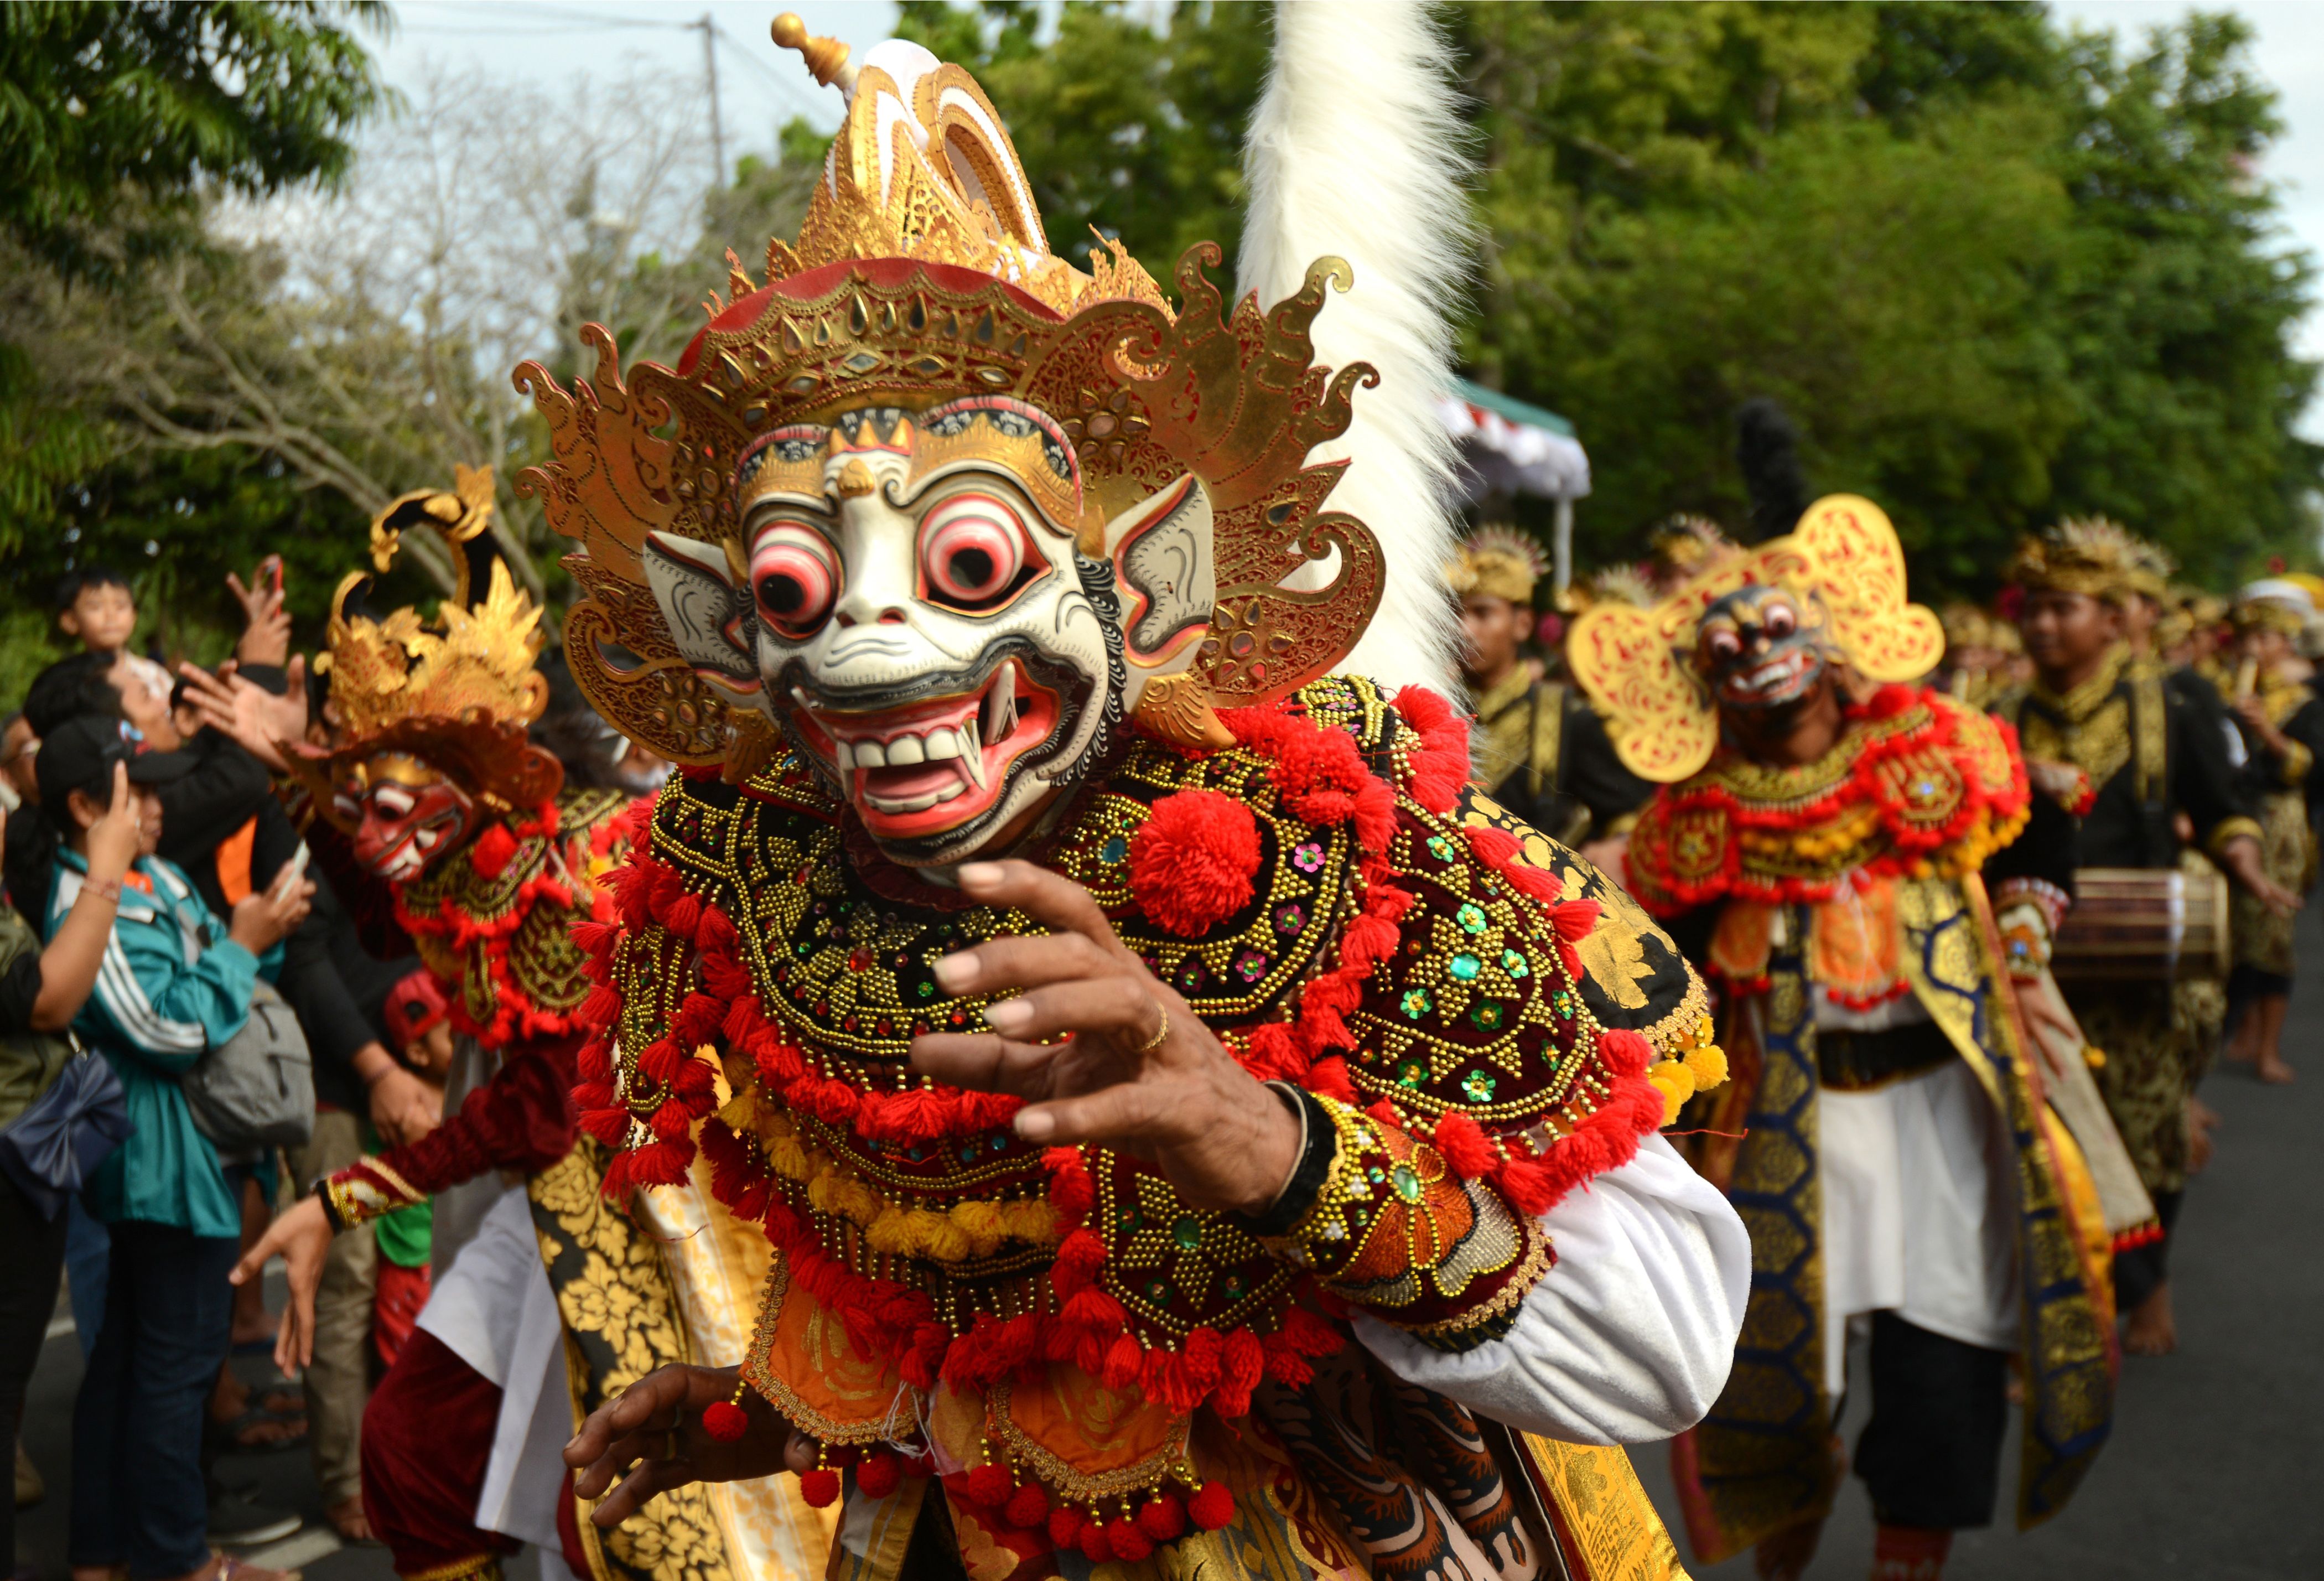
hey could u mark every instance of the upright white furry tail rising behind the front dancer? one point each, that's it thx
(1356, 150)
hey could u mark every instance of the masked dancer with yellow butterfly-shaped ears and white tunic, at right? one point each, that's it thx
(1823, 843)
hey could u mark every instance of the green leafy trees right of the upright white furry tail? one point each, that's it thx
(1997, 273)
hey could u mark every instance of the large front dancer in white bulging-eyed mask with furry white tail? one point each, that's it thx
(1163, 1082)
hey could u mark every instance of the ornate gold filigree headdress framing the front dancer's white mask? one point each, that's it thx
(921, 276)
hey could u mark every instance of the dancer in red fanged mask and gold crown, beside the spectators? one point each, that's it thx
(450, 834)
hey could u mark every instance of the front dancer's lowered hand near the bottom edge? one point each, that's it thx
(657, 1426)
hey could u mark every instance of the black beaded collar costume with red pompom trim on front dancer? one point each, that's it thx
(1405, 947)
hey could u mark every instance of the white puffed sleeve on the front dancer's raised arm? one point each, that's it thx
(1630, 1338)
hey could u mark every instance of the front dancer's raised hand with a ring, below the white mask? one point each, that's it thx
(1182, 1103)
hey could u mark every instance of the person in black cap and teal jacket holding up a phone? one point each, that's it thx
(173, 987)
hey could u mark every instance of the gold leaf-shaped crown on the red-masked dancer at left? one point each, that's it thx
(459, 694)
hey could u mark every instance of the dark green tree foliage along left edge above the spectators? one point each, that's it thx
(117, 124)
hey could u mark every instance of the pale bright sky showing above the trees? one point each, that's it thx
(761, 87)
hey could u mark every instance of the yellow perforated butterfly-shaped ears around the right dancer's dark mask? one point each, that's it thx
(1640, 664)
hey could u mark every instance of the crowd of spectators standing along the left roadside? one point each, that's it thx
(192, 1033)
